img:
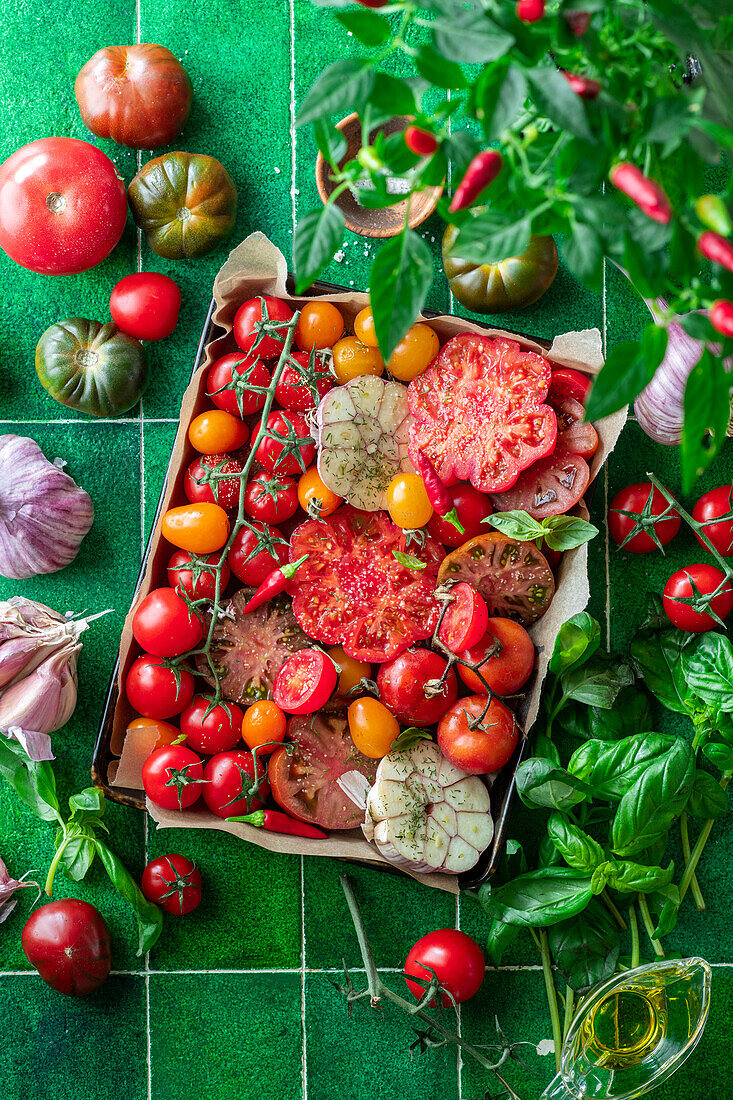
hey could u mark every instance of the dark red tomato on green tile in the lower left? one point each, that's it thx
(69, 944)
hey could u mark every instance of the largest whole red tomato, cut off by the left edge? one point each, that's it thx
(63, 206)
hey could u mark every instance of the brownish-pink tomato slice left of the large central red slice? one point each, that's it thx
(249, 651)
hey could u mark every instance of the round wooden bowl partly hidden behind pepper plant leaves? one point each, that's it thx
(390, 221)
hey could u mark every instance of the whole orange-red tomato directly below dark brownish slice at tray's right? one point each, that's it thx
(510, 665)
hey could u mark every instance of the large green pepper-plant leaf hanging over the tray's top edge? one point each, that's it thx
(400, 280)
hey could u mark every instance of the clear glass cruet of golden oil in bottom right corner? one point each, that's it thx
(633, 1031)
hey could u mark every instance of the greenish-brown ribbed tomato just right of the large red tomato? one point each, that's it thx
(184, 203)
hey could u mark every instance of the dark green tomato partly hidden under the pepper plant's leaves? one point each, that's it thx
(497, 289)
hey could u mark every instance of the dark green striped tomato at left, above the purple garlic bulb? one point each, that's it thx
(91, 367)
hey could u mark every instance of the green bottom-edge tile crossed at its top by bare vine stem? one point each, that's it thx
(368, 1058)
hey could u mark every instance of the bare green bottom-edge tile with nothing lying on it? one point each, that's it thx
(228, 1037)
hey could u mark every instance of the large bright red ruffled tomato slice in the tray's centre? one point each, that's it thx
(353, 590)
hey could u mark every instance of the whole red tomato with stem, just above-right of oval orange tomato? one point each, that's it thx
(407, 685)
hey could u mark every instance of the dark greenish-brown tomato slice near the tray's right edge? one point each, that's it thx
(513, 578)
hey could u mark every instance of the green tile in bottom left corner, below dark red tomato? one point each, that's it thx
(73, 1049)
